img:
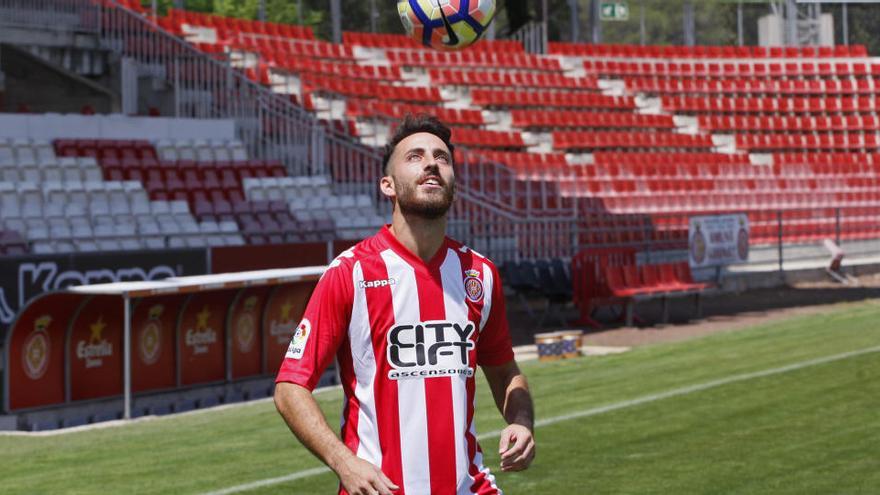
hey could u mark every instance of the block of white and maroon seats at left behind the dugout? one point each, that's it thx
(82, 195)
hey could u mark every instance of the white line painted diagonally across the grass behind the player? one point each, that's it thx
(589, 412)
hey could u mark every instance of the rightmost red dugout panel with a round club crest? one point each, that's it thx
(244, 338)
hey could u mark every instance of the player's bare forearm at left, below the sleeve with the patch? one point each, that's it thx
(305, 419)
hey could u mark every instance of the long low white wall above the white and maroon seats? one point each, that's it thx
(57, 126)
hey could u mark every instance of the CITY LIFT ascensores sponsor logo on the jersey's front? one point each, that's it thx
(430, 349)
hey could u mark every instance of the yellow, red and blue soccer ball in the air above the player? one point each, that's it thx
(446, 24)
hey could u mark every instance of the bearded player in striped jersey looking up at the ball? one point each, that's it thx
(409, 313)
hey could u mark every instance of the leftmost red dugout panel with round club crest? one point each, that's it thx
(35, 352)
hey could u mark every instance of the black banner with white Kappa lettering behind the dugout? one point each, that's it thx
(24, 277)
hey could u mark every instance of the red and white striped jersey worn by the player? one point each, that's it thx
(407, 336)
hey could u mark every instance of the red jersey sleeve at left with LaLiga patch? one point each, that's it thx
(322, 329)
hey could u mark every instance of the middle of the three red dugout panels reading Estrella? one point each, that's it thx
(201, 337)
